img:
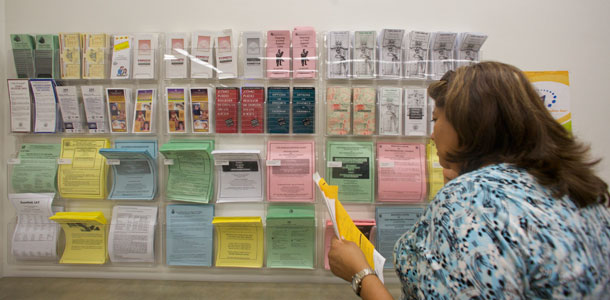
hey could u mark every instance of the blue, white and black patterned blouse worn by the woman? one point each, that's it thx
(495, 233)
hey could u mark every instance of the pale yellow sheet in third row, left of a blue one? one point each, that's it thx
(82, 169)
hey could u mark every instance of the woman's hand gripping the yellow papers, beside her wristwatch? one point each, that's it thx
(345, 259)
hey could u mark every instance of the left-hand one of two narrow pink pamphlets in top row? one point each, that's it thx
(278, 54)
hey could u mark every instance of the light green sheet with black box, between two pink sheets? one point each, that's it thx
(351, 166)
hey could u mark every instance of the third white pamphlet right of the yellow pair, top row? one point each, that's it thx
(175, 55)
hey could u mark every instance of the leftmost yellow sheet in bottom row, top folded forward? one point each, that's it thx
(85, 237)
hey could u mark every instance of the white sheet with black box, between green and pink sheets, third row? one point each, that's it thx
(241, 179)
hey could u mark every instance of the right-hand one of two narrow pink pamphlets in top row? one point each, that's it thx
(304, 56)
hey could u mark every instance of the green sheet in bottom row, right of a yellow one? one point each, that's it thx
(291, 236)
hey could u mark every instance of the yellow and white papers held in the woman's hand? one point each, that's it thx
(345, 227)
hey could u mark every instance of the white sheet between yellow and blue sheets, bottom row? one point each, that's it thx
(132, 234)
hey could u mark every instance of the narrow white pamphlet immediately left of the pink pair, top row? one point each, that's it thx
(252, 42)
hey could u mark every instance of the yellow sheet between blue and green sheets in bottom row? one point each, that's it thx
(240, 242)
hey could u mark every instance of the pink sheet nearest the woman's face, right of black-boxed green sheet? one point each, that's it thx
(401, 172)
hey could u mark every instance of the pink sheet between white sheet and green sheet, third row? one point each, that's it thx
(290, 168)
